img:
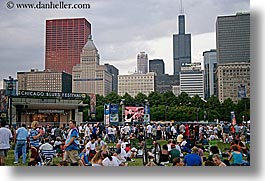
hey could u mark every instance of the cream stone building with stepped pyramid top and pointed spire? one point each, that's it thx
(89, 76)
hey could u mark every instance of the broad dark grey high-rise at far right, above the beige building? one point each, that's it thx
(233, 38)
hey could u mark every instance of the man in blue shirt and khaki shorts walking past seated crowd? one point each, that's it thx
(72, 145)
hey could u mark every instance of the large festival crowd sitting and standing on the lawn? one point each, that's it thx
(87, 144)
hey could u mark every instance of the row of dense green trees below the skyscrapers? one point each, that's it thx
(166, 107)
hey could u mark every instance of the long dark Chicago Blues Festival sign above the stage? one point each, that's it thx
(63, 95)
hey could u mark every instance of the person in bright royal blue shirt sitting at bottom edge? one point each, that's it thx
(193, 159)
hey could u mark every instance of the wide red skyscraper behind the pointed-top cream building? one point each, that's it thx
(65, 39)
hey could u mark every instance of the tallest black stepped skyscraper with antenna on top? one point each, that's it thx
(181, 45)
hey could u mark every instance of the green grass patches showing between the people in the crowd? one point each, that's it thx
(137, 162)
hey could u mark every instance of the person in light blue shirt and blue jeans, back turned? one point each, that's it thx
(20, 138)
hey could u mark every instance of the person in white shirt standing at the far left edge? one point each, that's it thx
(5, 136)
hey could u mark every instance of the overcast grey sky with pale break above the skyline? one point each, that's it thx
(120, 29)
